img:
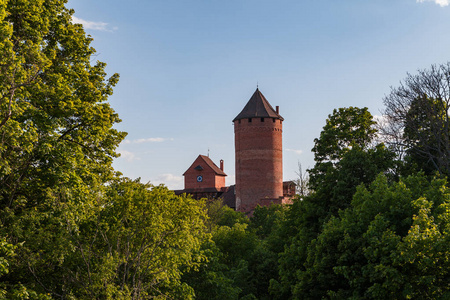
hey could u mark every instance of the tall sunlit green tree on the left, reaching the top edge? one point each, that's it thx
(56, 126)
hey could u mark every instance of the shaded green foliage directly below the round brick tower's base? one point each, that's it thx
(242, 255)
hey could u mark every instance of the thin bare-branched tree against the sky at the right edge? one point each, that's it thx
(417, 119)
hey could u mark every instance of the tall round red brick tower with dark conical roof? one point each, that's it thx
(258, 151)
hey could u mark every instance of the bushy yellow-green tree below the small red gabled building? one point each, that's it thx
(149, 235)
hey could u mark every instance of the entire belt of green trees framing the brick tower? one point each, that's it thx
(371, 221)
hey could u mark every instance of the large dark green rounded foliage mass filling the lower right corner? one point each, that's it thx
(386, 245)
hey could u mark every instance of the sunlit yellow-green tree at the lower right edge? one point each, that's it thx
(424, 254)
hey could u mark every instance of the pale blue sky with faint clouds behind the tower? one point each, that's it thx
(187, 68)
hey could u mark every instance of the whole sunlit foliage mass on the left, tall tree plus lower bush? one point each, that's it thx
(77, 231)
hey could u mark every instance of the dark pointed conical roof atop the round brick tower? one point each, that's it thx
(258, 107)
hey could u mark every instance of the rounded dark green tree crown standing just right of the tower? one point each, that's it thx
(346, 155)
